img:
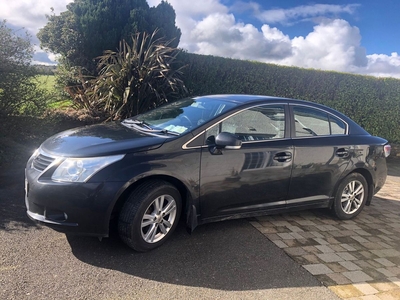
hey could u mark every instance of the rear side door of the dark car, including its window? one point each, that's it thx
(321, 154)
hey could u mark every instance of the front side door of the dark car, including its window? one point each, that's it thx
(253, 178)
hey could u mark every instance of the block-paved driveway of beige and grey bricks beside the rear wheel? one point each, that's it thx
(357, 259)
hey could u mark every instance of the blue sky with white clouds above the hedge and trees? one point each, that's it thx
(361, 37)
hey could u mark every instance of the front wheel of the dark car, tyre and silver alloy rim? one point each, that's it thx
(150, 215)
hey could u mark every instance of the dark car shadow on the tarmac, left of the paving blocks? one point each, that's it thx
(228, 255)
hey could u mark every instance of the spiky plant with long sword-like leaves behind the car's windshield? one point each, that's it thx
(139, 76)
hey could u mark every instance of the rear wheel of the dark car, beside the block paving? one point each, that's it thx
(350, 197)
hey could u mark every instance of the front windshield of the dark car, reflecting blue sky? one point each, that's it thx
(180, 116)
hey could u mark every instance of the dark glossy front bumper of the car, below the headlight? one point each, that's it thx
(80, 208)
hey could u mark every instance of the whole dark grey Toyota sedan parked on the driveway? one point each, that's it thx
(205, 159)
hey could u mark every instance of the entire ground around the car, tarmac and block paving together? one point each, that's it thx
(307, 255)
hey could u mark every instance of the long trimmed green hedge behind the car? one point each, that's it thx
(374, 103)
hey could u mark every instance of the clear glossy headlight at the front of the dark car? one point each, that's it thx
(81, 169)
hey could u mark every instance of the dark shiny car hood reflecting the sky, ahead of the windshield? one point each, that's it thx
(99, 140)
